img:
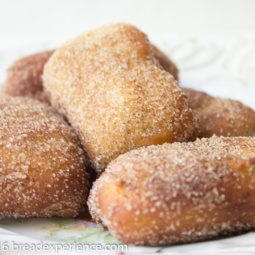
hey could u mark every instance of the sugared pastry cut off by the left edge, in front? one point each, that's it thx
(42, 165)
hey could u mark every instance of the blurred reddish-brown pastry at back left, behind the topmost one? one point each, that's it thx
(24, 77)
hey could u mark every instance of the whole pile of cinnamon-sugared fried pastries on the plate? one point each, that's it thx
(173, 164)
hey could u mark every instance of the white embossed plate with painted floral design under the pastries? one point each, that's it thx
(223, 67)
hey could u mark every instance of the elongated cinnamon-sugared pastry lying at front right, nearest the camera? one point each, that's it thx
(180, 192)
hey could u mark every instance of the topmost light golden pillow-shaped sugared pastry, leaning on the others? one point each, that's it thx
(115, 94)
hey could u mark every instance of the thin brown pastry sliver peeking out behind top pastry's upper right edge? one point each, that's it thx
(165, 62)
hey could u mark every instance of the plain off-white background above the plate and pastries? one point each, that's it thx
(24, 22)
